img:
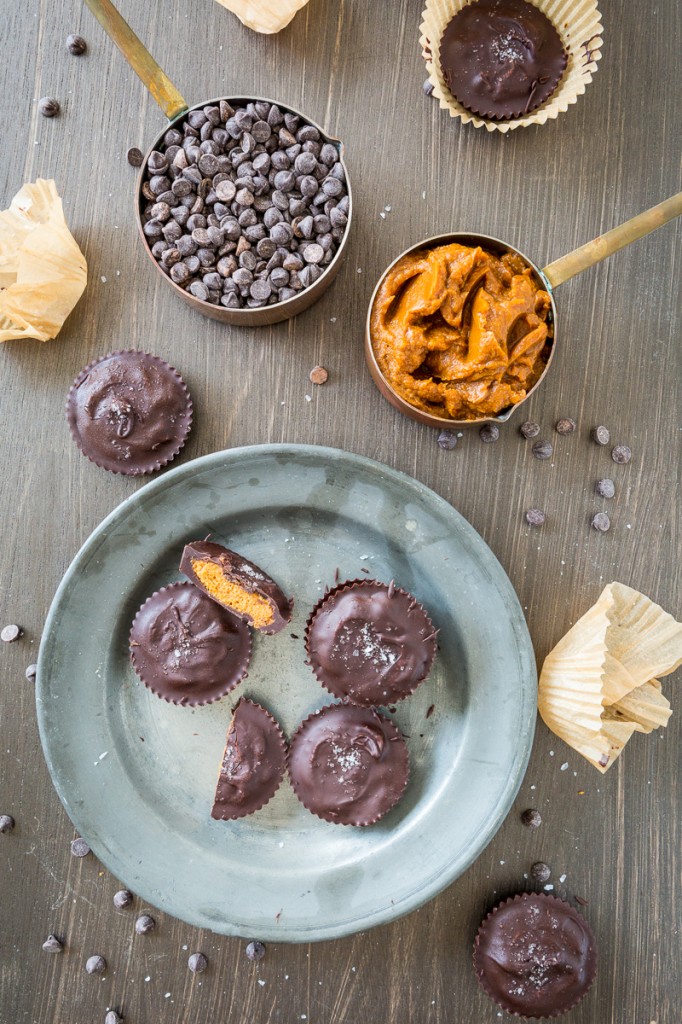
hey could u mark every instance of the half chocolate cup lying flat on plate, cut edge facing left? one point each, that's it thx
(253, 764)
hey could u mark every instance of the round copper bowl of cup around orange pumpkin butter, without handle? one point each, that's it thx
(465, 239)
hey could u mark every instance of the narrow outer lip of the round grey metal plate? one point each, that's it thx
(223, 459)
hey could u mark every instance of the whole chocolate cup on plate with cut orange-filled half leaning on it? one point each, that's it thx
(186, 649)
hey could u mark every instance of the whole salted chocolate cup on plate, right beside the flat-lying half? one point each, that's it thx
(349, 764)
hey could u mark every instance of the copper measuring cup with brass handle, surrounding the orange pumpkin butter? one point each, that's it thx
(548, 279)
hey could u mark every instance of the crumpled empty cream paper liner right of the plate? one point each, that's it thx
(601, 685)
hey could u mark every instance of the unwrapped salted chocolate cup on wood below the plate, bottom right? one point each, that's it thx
(535, 956)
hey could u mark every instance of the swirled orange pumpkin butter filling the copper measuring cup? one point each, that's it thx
(460, 333)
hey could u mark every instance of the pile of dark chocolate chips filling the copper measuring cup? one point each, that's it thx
(246, 206)
